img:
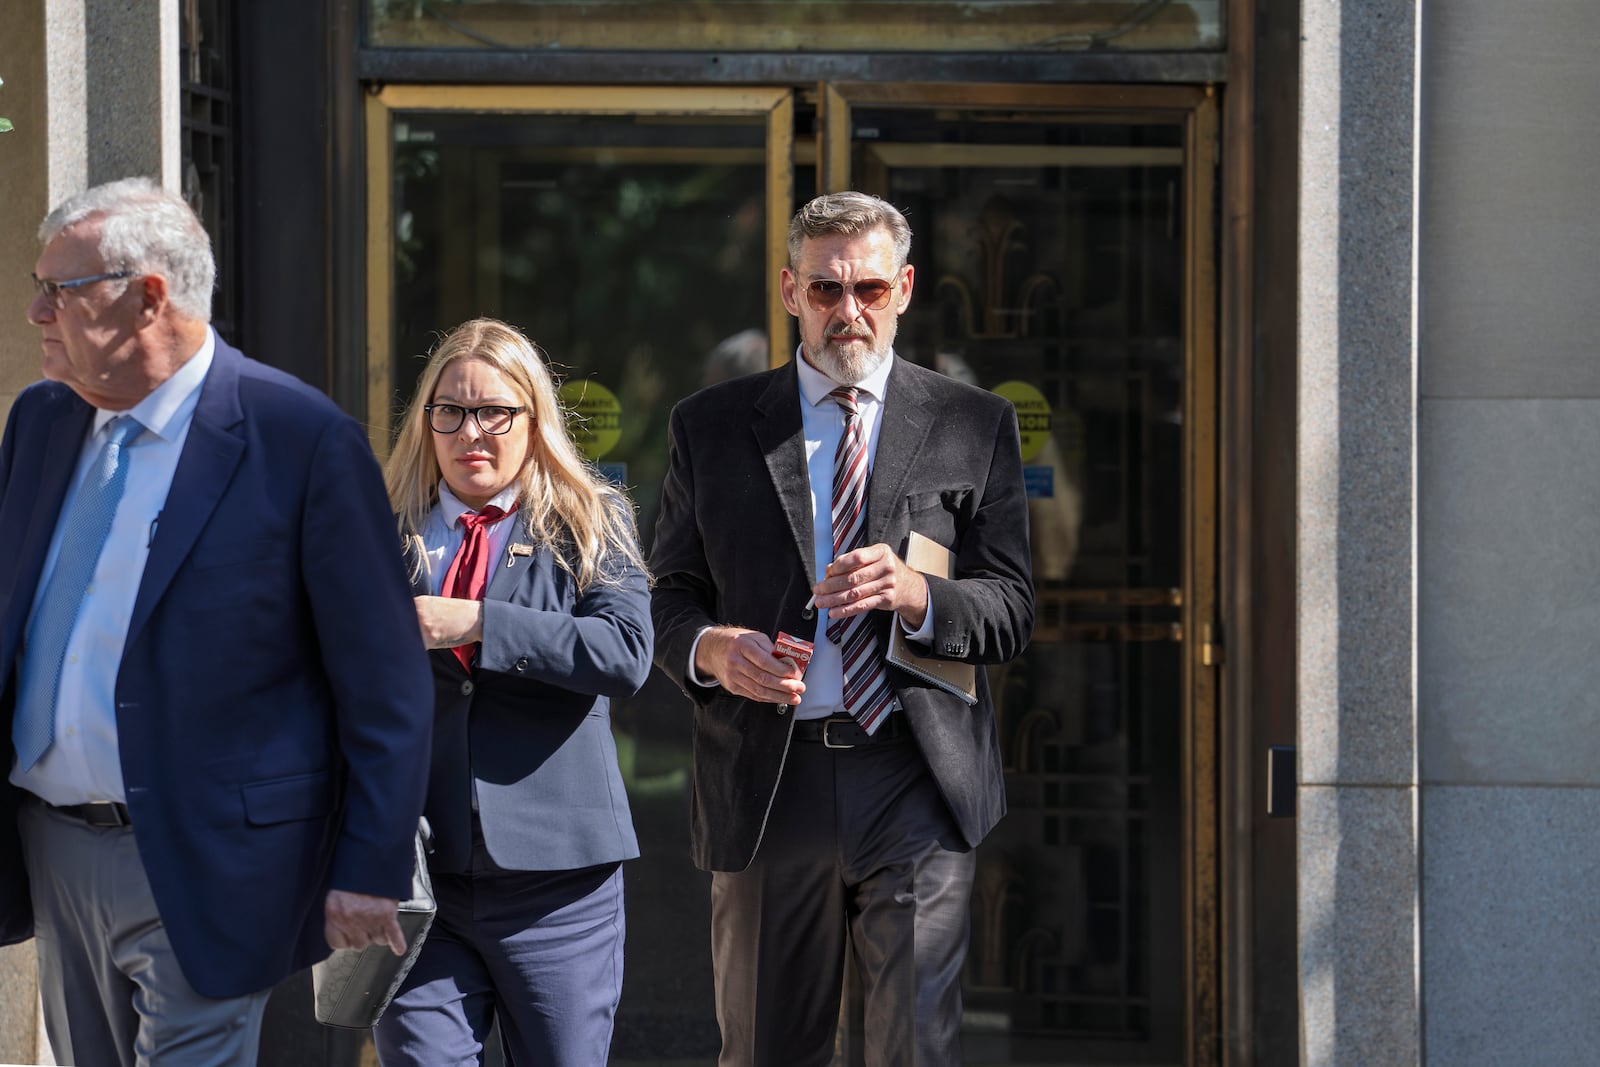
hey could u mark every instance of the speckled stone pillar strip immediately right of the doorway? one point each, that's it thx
(1358, 873)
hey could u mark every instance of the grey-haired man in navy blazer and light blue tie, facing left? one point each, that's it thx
(212, 684)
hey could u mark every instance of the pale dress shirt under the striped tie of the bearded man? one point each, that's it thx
(825, 423)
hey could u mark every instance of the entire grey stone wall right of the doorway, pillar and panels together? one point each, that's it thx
(1450, 533)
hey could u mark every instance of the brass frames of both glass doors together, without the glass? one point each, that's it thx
(1193, 108)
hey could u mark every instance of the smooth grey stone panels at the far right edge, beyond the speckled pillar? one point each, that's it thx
(1510, 532)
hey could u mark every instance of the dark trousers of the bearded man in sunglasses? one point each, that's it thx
(862, 860)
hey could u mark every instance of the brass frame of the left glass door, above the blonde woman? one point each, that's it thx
(774, 105)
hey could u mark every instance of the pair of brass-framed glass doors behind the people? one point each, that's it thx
(1065, 260)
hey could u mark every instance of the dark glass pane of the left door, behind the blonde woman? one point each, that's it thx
(633, 252)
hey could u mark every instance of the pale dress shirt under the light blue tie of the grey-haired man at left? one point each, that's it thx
(84, 762)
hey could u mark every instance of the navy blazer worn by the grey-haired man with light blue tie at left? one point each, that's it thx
(273, 697)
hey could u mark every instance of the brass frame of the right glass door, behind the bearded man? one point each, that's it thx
(1196, 110)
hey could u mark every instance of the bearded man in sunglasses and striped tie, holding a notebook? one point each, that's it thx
(839, 807)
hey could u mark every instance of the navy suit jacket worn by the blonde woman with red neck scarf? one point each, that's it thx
(530, 729)
